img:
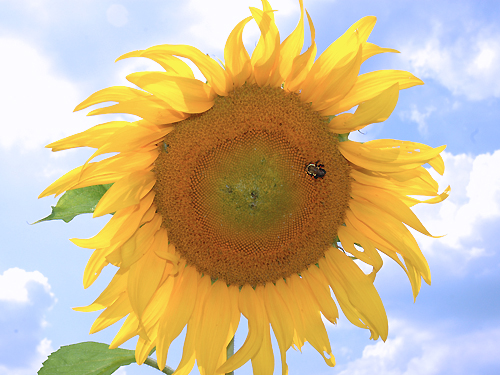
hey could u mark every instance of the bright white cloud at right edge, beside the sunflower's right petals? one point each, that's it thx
(474, 201)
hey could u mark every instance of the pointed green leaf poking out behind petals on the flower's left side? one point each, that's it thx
(76, 202)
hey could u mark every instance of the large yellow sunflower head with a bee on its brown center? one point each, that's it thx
(243, 195)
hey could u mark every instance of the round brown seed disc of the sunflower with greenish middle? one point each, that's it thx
(254, 189)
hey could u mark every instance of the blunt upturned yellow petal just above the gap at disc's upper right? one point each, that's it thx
(377, 109)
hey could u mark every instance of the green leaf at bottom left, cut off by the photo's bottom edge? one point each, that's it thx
(86, 358)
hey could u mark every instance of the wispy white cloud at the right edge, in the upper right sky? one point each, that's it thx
(469, 66)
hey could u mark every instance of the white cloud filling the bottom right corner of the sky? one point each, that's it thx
(415, 351)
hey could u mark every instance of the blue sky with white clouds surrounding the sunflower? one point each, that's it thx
(55, 53)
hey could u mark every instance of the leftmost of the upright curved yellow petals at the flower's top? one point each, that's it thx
(237, 59)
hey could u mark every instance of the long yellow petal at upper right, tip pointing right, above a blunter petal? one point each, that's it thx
(369, 85)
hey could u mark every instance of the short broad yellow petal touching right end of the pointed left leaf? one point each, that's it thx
(125, 192)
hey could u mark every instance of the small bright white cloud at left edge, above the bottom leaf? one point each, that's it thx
(15, 283)
